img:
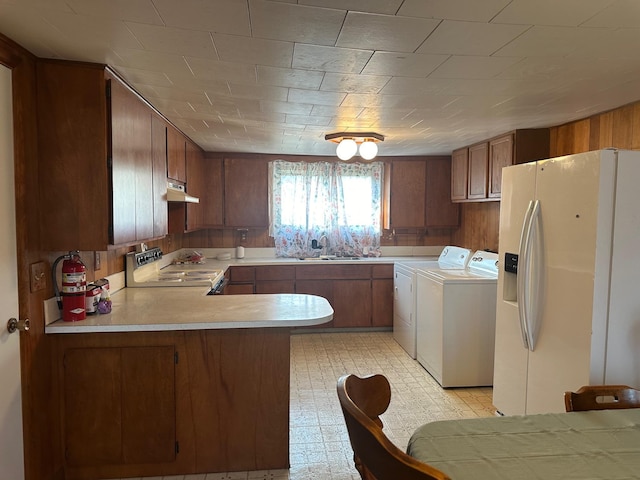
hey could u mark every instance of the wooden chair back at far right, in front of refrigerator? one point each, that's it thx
(602, 397)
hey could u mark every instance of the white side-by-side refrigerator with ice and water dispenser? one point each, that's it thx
(568, 310)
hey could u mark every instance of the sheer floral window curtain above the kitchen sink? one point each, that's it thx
(337, 204)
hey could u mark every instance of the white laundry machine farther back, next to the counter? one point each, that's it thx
(404, 292)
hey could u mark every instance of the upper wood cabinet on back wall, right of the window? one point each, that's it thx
(420, 194)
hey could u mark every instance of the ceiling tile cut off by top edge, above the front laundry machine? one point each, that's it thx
(469, 10)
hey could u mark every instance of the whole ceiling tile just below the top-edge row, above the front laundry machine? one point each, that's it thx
(469, 38)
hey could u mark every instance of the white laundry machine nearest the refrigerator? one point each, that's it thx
(456, 315)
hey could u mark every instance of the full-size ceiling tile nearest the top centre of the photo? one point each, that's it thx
(295, 23)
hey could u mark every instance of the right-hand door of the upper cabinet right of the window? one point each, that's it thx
(440, 210)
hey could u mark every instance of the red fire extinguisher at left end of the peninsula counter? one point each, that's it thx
(74, 287)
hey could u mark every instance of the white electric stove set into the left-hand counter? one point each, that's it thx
(144, 269)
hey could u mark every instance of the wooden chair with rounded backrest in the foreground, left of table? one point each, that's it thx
(375, 456)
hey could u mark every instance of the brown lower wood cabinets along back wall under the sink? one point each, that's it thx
(361, 295)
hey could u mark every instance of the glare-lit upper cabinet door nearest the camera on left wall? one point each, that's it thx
(131, 166)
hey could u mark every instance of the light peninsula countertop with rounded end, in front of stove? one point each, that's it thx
(189, 308)
